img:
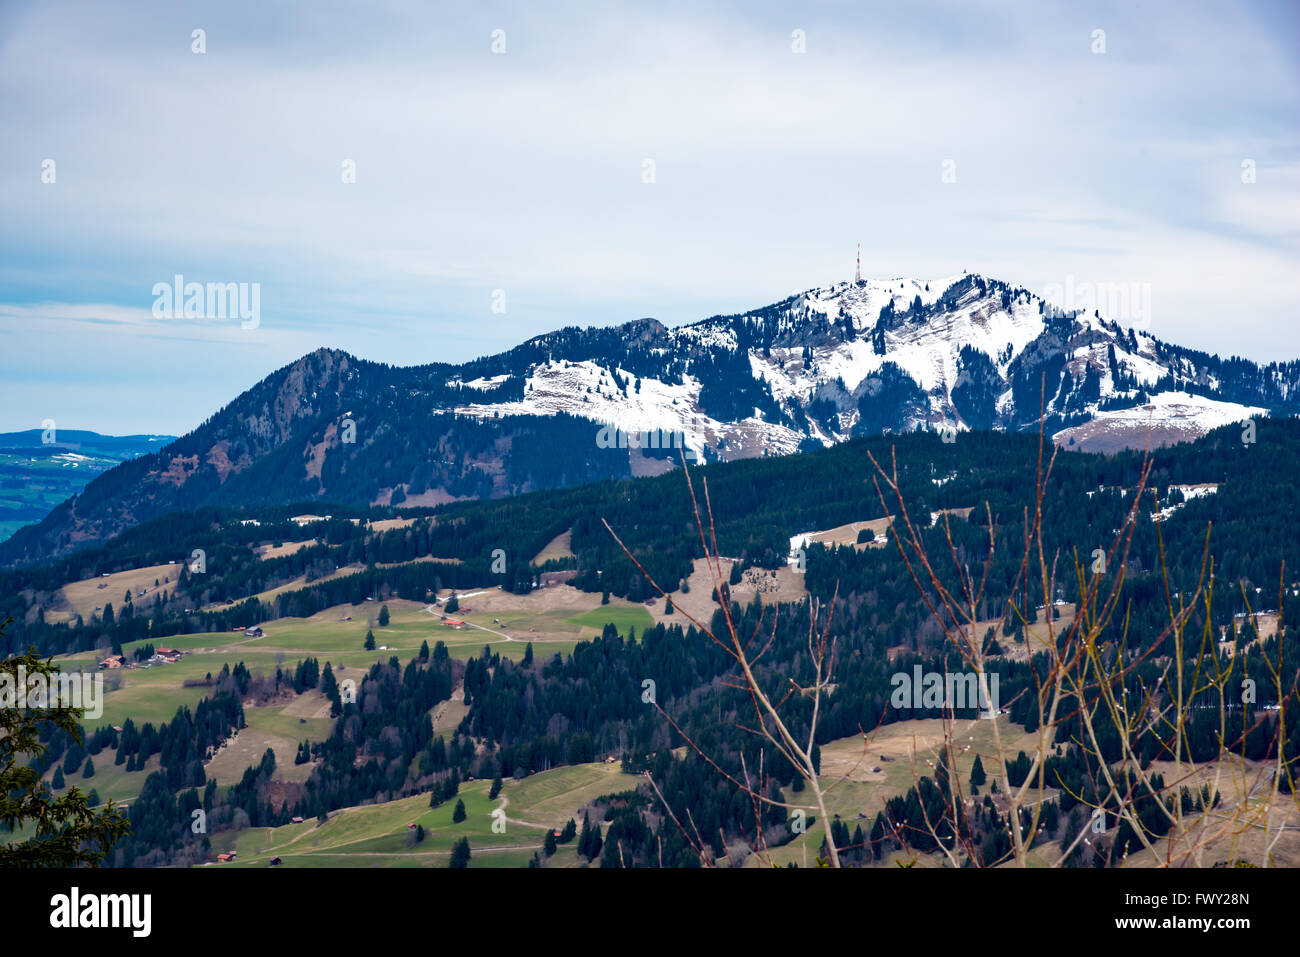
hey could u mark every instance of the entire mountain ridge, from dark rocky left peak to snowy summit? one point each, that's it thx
(583, 405)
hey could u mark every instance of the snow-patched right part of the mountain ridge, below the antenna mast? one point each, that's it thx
(881, 356)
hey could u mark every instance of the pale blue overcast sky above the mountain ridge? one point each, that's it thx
(523, 172)
